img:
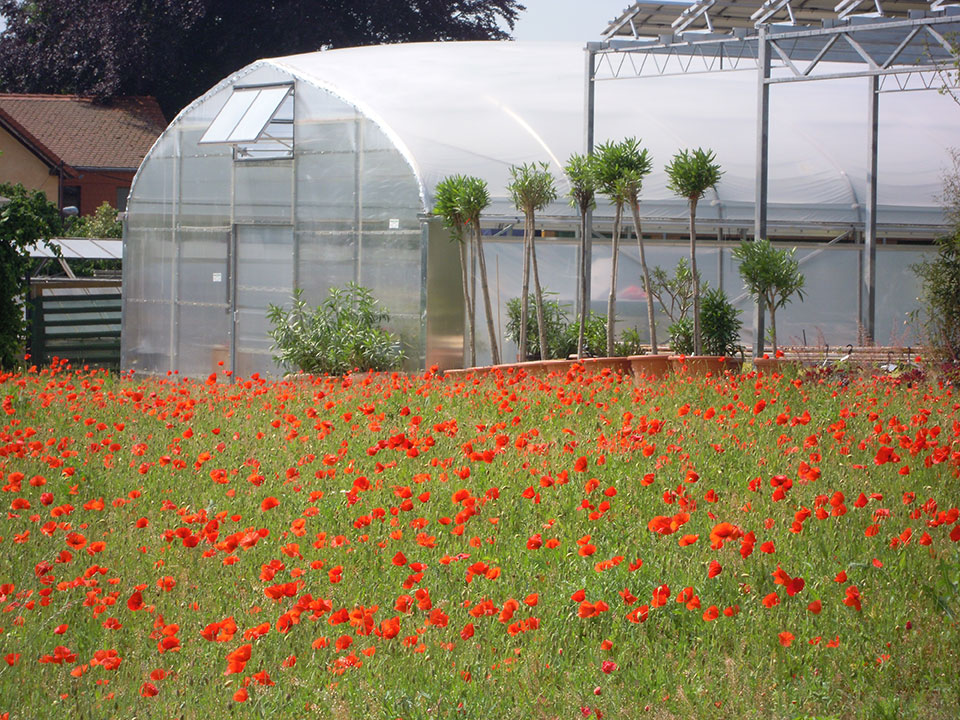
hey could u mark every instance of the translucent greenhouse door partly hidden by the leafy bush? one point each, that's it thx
(262, 275)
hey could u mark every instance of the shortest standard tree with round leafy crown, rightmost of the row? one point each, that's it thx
(771, 274)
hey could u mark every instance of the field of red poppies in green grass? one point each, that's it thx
(413, 546)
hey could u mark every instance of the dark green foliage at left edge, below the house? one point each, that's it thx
(26, 219)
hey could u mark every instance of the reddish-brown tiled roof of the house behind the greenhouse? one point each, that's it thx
(83, 133)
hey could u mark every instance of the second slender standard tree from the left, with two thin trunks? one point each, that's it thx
(532, 189)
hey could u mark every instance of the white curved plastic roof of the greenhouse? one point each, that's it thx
(478, 107)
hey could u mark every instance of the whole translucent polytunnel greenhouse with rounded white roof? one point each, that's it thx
(314, 170)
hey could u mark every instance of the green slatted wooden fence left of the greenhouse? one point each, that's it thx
(77, 319)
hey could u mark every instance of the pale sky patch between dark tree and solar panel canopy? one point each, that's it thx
(567, 19)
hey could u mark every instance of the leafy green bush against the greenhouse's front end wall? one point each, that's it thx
(341, 335)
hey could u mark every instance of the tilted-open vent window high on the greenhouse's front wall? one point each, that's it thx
(257, 120)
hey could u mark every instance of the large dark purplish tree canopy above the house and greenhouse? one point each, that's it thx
(176, 49)
